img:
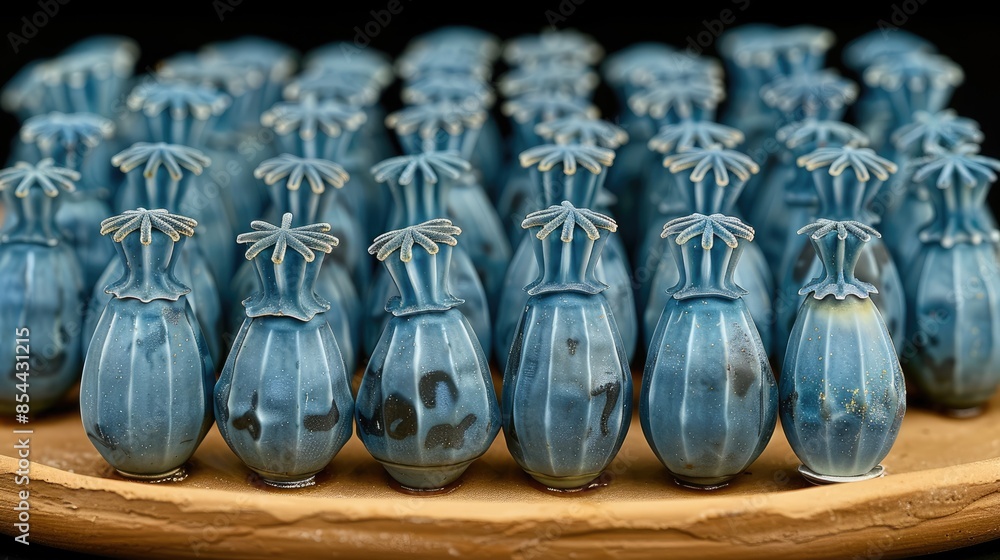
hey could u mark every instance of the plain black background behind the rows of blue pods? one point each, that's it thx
(961, 31)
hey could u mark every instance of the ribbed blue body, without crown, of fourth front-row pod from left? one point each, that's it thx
(567, 389)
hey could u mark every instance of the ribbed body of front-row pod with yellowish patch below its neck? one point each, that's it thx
(841, 387)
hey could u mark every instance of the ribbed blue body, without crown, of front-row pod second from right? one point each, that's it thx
(709, 401)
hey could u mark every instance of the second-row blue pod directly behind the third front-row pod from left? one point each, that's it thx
(420, 184)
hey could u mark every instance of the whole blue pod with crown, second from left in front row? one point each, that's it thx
(283, 402)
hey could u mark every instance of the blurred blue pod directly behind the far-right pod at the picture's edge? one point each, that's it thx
(905, 205)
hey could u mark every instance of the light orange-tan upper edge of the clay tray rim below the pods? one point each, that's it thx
(983, 477)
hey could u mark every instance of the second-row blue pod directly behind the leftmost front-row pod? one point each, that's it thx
(158, 175)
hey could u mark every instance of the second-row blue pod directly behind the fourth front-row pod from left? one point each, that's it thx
(558, 177)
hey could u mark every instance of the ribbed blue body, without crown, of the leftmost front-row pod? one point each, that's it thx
(145, 398)
